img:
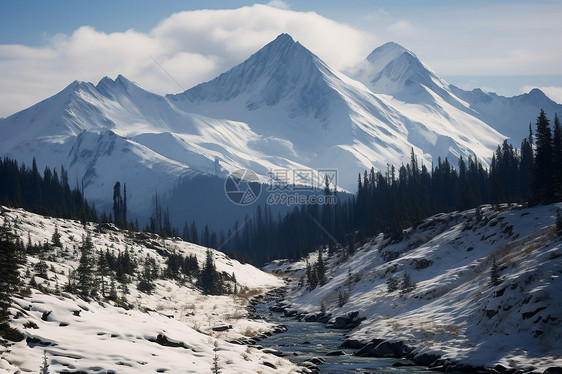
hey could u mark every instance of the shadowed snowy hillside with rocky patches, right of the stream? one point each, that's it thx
(454, 315)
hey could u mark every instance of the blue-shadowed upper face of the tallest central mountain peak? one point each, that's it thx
(283, 70)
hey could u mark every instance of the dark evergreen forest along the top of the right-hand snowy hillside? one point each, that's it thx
(392, 200)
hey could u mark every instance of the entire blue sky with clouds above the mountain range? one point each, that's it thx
(501, 46)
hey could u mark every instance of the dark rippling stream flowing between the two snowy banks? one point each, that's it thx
(313, 340)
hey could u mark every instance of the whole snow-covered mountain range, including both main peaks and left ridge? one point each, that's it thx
(282, 108)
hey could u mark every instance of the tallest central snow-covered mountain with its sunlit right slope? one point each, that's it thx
(291, 97)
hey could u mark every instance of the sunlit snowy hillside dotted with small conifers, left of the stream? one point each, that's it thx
(173, 329)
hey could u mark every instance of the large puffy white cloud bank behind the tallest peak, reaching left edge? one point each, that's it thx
(192, 46)
